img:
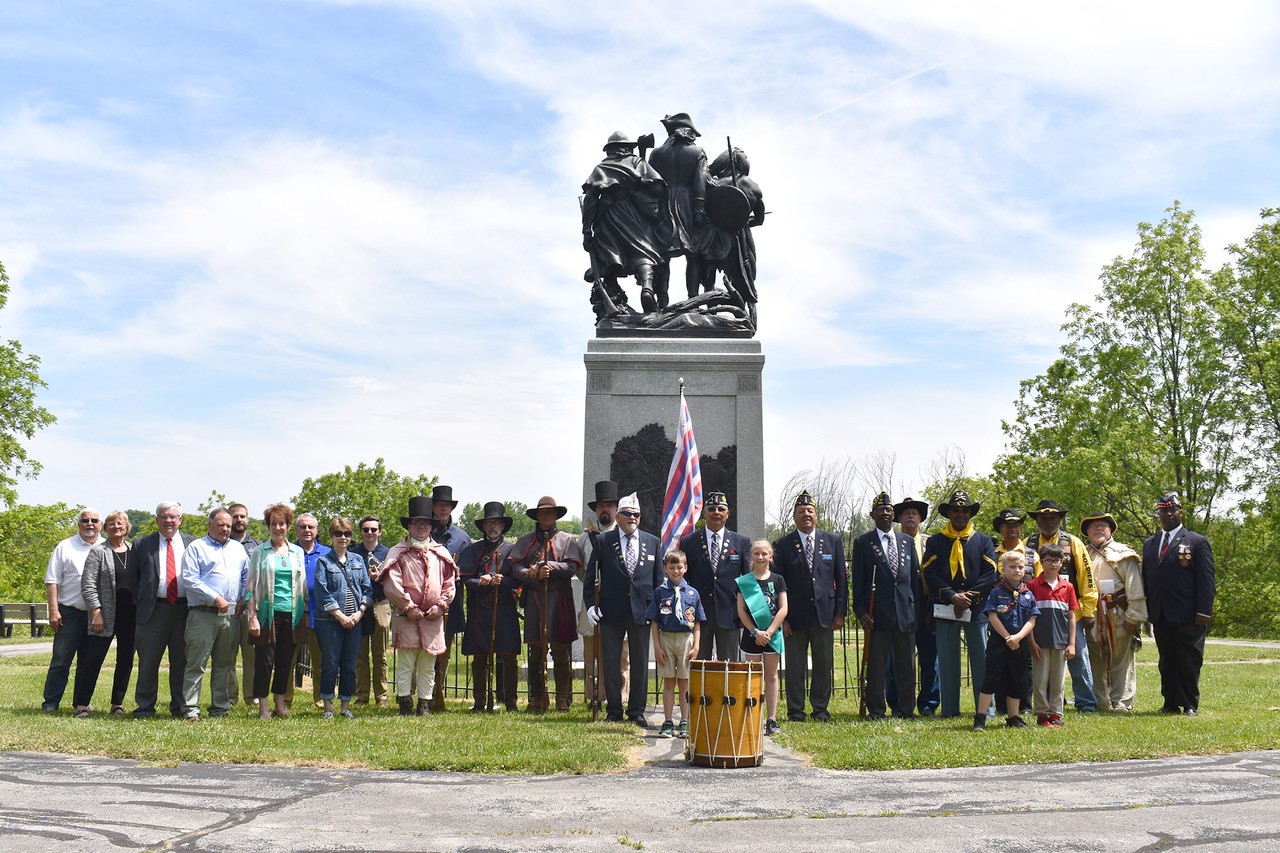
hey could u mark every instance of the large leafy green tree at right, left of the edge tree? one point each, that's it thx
(1137, 404)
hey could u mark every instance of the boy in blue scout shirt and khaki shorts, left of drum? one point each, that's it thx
(676, 614)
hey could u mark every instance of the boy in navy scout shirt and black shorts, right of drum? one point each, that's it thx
(1012, 613)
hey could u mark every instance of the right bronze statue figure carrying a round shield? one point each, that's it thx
(737, 213)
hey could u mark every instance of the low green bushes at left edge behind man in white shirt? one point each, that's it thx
(28, 539)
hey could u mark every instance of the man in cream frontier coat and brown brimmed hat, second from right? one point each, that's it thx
(1122, 612)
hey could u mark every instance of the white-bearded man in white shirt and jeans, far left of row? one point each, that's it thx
(67, 615)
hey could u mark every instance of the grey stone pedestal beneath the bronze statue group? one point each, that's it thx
(633, 404)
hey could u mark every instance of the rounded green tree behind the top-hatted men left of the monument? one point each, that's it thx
(365, 490)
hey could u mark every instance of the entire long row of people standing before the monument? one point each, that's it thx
(1058, 603)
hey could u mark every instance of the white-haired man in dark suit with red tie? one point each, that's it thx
(154, 568)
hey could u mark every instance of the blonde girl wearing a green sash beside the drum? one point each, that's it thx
(762, 608)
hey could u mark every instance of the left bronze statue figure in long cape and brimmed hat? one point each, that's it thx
(620, 221)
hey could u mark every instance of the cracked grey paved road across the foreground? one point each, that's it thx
(76, 804)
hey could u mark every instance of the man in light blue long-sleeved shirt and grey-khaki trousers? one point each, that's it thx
(214, 572)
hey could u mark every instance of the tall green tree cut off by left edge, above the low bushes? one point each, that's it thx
(20, 414)
